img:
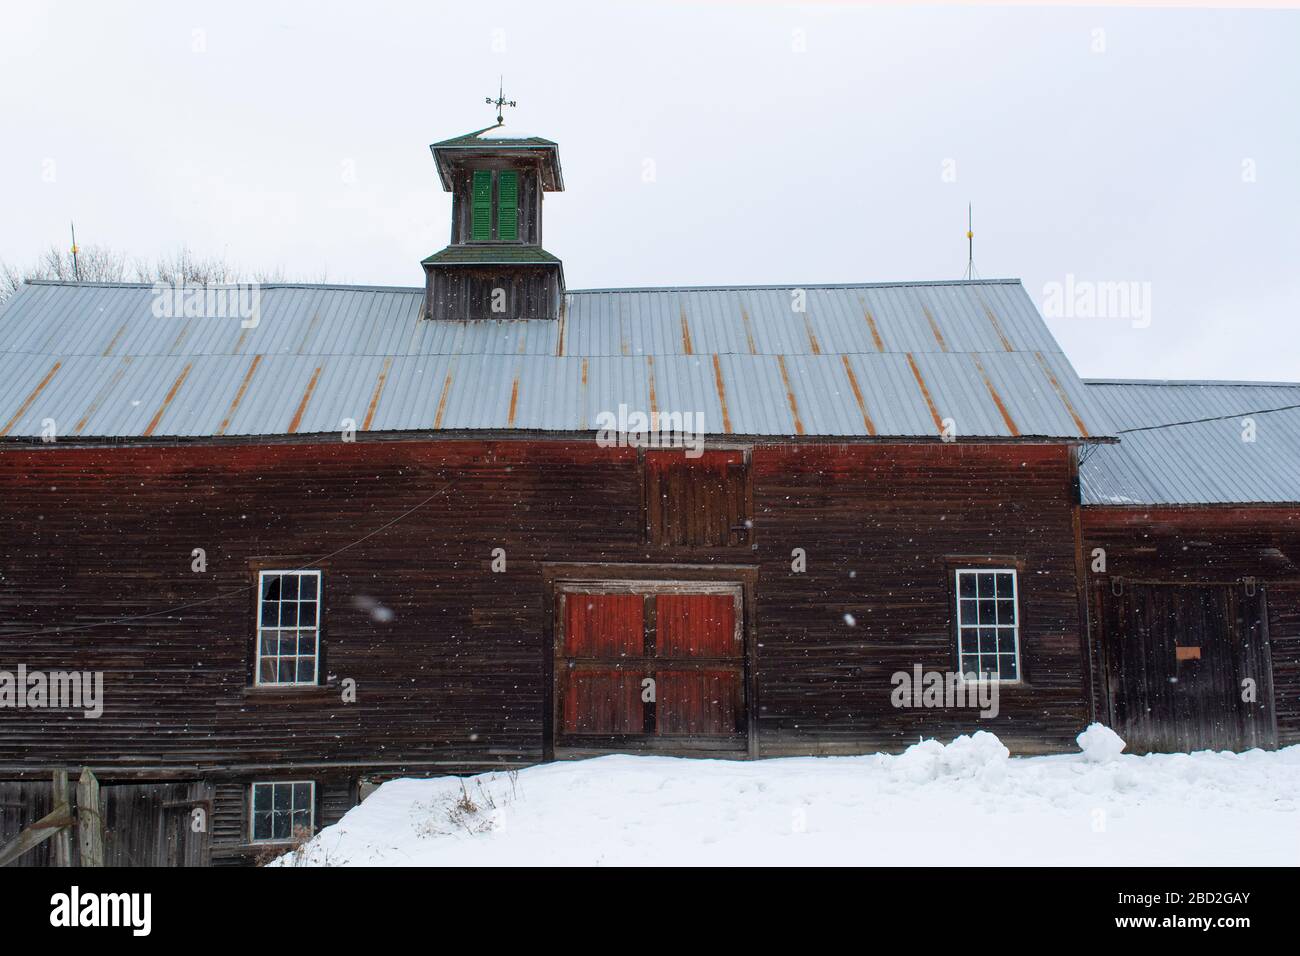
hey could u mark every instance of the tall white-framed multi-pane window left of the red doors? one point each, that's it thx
(288, 628)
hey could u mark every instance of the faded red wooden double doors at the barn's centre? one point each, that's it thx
(651, 667)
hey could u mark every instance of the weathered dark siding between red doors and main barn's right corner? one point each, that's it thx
(883, 529)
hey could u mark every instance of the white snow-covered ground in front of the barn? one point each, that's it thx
(963, 804)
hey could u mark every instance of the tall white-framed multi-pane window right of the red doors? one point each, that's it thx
(989, 625)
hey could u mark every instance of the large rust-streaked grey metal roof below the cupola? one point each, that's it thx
(863, 361)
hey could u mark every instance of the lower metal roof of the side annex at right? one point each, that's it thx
(1185, 443)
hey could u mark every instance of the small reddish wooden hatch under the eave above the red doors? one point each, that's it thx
(697, 503)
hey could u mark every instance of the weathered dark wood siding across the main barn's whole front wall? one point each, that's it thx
(458, 680)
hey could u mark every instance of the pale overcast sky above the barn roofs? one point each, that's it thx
(788, 145)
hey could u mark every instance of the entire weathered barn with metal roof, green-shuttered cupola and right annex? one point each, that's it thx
(318, 537)
